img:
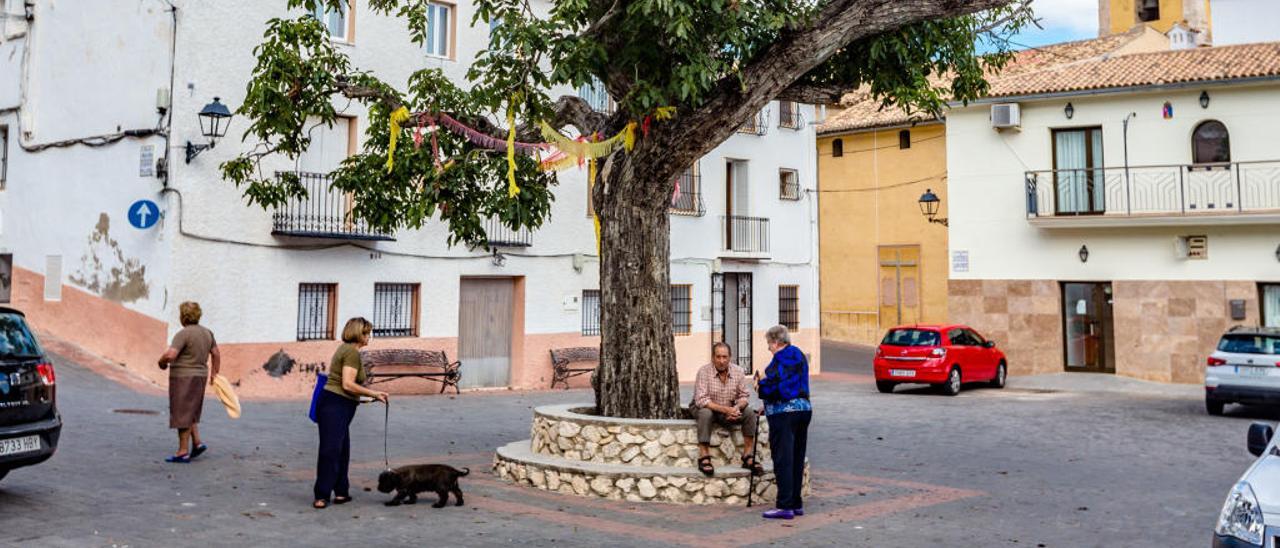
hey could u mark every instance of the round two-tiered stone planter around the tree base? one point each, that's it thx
(574, 453)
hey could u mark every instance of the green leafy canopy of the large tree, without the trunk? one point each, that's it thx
(691, 54)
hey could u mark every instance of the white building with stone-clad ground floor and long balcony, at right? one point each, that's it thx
(1118, 216)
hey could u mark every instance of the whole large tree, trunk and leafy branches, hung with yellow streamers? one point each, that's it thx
(688, 72)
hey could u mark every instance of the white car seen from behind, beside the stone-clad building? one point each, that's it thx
(1245, 369)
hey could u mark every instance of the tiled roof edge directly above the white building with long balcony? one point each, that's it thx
(1201, 65)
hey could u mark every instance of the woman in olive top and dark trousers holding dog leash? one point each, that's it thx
(336, 408)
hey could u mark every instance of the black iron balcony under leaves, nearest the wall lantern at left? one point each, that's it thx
(323, 213)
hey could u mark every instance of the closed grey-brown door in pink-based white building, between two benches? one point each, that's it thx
(486, 316)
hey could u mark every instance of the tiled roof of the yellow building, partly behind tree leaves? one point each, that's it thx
(862, 112)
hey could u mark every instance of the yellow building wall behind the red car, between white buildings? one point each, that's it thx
(883, 262)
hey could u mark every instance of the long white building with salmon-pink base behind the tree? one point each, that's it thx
(79, 93)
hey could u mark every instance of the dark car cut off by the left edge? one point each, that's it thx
(30, 423)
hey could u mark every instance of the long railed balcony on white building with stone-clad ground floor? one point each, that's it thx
(1242, 193)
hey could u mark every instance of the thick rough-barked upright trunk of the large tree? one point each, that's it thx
(637, 377)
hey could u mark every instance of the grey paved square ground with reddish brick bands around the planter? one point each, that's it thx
(1058, 460)
